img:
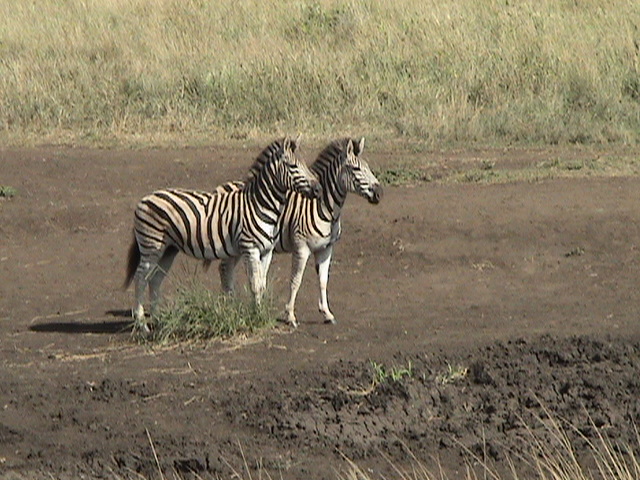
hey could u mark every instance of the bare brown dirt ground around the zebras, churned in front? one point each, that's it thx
(530, 287)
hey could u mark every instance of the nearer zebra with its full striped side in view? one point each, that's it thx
(227, 224)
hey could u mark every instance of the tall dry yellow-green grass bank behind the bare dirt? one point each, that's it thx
(437, 72)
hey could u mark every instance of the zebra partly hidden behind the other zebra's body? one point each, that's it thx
(312, 225)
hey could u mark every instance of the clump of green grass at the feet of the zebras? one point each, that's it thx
(196, 313)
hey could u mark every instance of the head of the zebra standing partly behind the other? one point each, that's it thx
(356, 175)
